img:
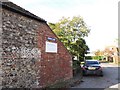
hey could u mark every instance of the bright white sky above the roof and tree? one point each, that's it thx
(101, 16)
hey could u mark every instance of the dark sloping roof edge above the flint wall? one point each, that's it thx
(15, 8)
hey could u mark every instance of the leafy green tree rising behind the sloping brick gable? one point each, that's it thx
(71, 32)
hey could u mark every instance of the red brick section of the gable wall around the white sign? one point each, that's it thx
(53, 66)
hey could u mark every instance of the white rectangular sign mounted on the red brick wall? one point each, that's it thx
(51, 47)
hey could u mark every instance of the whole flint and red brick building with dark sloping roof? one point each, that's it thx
(32, 56)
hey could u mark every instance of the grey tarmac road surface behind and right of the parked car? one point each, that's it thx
(110, 78)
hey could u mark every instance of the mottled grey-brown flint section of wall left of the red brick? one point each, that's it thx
(20, 51)
